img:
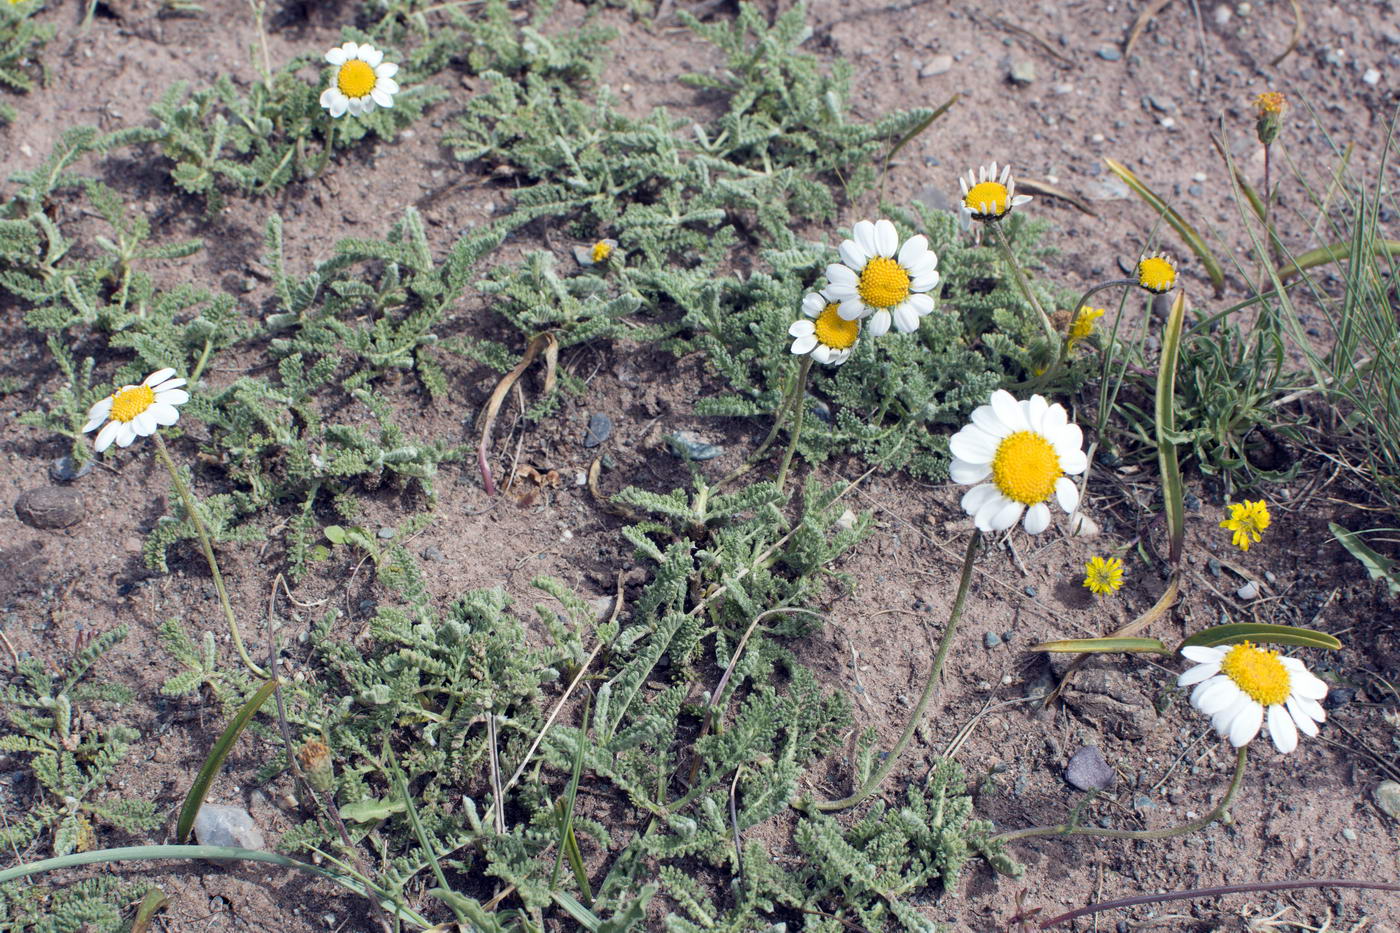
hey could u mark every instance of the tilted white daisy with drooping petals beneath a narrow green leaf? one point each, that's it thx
(1242, 687)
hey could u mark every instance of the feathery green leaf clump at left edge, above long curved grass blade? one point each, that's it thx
(69, 756)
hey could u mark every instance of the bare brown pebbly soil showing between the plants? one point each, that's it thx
(1305, 816)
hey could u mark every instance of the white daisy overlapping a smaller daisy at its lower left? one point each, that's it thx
(881, 279)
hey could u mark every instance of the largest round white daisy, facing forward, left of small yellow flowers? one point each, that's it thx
(1027, 449)
